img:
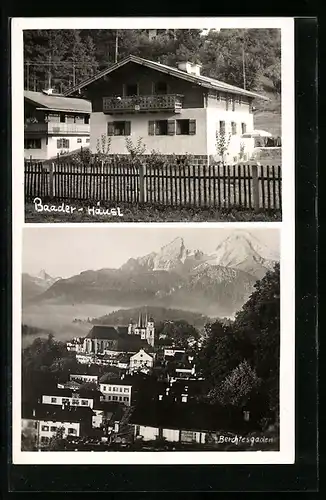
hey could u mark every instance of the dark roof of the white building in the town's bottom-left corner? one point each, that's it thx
(56, 413)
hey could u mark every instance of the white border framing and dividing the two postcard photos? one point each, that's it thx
(286, 454)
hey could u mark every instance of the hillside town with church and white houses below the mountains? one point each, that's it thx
(127, 388)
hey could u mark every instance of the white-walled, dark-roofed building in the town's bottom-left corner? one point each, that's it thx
(41, 422)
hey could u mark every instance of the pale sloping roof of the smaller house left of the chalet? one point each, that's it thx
(57, 103)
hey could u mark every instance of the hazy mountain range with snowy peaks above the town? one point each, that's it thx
(214, 284)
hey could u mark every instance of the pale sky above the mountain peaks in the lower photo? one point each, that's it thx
(66, 251)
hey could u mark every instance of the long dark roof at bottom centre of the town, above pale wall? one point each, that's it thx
(187, 416)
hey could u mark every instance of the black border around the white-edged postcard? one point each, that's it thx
(303, 475)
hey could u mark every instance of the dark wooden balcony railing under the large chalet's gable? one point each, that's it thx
(143, 104)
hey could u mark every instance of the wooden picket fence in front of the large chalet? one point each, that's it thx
(221, 186)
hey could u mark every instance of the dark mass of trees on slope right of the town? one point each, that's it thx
(241, 360)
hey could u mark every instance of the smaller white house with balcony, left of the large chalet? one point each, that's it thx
(54, 124)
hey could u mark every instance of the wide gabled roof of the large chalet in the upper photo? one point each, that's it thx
(203, 81)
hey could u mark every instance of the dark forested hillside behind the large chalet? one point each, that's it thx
(62, 58)
